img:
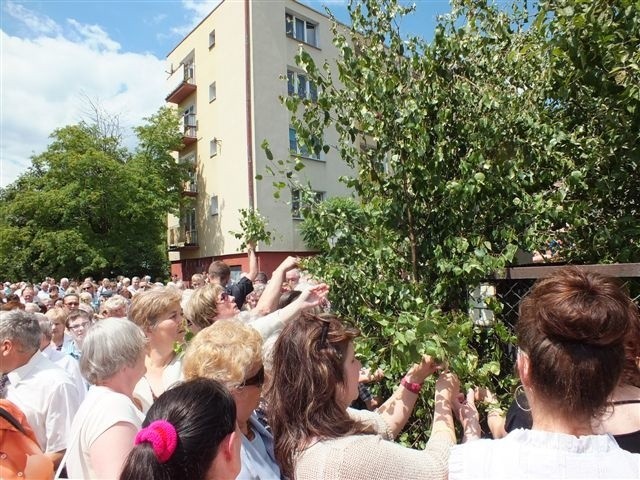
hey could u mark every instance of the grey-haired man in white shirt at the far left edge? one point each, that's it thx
(41, 389)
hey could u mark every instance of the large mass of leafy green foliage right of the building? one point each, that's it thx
(464, 150)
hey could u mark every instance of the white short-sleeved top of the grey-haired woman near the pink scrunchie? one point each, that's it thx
(101, 410)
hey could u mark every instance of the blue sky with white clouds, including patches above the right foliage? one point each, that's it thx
(56, 54)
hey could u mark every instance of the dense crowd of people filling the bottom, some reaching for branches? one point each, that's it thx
(257, 379)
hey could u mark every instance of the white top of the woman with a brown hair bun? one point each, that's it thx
(544, 455)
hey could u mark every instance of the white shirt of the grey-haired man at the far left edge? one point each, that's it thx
(48, 398)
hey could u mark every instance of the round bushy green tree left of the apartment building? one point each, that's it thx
(88, 206)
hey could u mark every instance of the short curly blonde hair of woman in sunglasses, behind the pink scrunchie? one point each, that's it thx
(226, 351)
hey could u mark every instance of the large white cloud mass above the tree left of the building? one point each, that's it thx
(46, 80)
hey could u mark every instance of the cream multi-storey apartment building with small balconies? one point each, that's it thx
(226, 79)
